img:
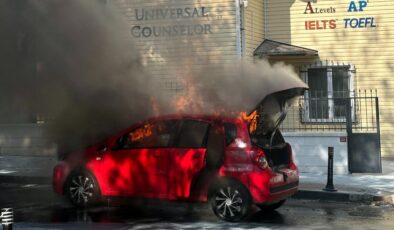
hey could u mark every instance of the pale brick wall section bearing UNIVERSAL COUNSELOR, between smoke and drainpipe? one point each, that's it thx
(174, 37)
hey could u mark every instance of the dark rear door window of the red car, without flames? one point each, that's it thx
(193, 134)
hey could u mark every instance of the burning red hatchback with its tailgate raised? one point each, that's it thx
(231, 162)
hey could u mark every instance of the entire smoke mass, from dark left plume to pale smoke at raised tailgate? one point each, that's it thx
(89, 81)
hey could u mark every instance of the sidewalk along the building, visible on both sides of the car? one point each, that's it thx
(352, 187)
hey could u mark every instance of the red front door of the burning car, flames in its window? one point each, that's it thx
(138, 164)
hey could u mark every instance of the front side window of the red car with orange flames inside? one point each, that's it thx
(149, 135)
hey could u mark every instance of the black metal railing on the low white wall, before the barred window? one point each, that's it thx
(330, 112)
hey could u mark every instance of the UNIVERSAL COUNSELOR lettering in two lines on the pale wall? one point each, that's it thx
(178, 15)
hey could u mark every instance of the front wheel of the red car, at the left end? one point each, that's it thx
(82, 189)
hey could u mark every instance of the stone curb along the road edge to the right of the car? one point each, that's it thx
(367, 198)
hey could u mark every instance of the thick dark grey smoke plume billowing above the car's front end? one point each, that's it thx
(85, 75)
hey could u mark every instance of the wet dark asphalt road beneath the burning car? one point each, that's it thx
(37, 207)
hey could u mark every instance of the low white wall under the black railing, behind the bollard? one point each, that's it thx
(311, 154)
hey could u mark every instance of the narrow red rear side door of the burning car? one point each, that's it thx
(186, 160)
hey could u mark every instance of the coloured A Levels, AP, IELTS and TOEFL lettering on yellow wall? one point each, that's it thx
(332, 23)
